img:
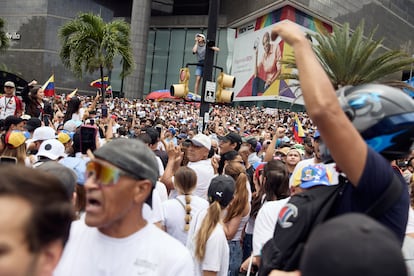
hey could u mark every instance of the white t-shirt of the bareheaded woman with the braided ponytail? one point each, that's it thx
(174, 214)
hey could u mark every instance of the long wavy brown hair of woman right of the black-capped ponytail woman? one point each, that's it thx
(241, 195)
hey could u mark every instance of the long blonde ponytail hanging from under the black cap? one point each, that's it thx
(207, 226)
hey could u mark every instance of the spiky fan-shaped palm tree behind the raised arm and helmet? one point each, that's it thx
(350, 59)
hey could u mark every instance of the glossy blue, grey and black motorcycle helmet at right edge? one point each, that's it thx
(383, 115)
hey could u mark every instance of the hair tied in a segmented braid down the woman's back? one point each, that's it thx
(185, 180)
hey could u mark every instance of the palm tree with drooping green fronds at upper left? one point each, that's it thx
(89, 44)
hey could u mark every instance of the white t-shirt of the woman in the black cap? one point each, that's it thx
(216, 257)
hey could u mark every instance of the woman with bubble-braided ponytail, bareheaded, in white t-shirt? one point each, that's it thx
(179, 211)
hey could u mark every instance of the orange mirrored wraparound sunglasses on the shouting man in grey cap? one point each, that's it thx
(105, 175)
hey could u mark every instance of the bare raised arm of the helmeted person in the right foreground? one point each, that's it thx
(344, 142)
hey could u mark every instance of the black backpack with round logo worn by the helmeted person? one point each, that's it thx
(302, 213)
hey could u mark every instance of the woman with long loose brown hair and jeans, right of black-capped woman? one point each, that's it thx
(237, 214)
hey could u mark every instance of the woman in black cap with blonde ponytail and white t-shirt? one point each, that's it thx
(206, 239)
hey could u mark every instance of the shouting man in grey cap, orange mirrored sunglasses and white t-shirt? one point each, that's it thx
(114, 238)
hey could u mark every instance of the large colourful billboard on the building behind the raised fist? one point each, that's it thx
(256, 57)
